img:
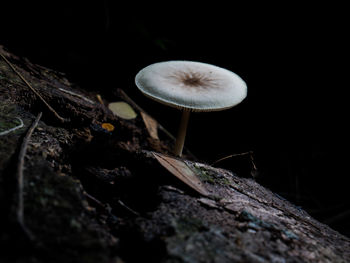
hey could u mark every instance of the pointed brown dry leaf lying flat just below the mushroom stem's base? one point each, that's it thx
(182, 171)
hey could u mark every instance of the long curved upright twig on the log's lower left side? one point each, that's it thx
(19, 175)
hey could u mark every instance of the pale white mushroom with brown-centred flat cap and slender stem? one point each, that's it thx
(190, 86)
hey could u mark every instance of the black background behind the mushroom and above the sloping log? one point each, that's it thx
(294, 59)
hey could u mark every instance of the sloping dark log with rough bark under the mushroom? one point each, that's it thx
(96, 196)
